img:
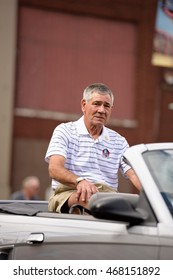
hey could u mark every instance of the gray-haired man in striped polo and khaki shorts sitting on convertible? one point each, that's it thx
(84, 156)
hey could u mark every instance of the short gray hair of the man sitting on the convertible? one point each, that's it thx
(99, 88)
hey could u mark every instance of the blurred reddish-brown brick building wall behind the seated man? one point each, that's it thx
(62, 46)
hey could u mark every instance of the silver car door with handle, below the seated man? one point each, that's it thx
(86, 239)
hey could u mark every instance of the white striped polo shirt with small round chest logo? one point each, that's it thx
(96, 160)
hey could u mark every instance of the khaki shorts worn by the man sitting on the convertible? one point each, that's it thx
(62, 194)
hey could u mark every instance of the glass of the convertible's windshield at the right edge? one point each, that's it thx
(160, 163)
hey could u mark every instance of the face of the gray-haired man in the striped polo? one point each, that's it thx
(97, 110)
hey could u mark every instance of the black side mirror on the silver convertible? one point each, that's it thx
(117, 209)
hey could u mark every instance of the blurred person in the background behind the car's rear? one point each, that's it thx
(29, 191)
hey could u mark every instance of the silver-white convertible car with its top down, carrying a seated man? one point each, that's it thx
(120, 226)
